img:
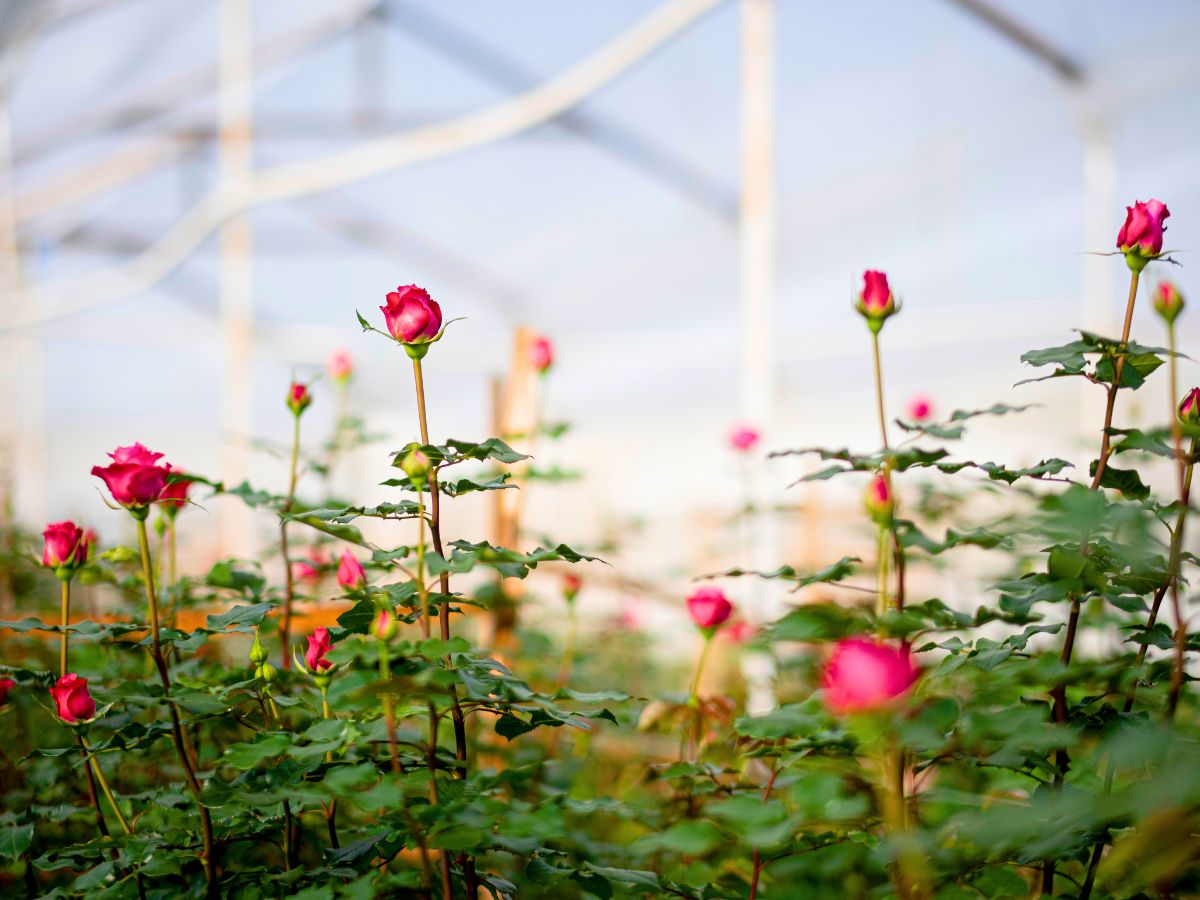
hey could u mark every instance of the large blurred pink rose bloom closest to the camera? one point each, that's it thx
(866, 675)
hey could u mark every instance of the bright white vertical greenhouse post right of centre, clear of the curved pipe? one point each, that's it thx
(757, 237)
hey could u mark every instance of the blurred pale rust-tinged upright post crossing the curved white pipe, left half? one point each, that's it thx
(237, 277)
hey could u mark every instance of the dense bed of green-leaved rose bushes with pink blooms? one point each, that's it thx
(197, 734)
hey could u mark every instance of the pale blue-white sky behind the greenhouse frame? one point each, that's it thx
(910, 139)
